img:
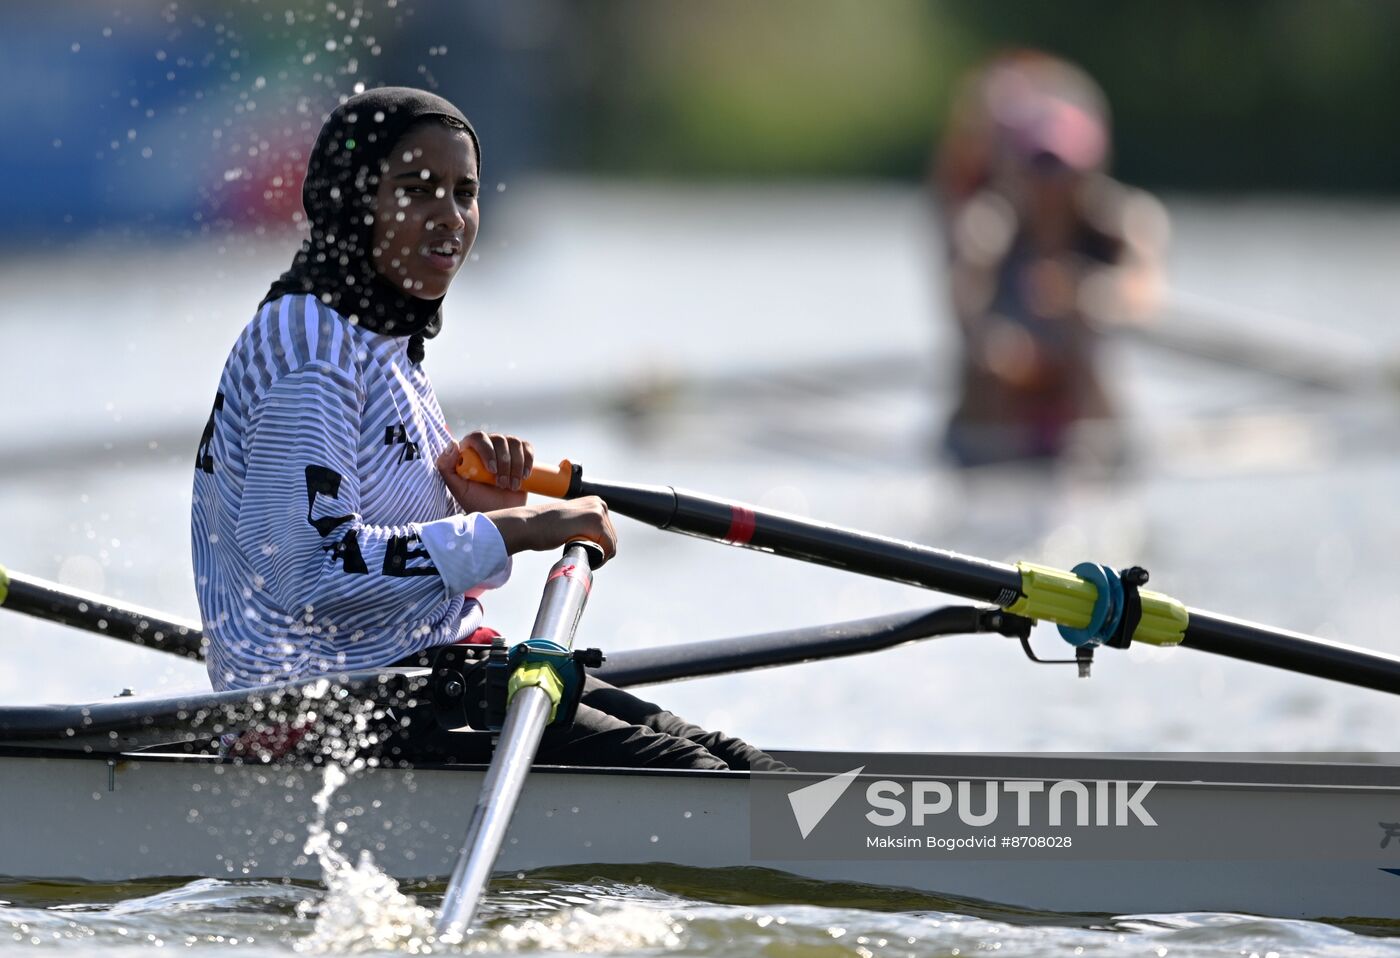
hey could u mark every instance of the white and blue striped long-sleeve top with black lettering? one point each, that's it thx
(324, 539)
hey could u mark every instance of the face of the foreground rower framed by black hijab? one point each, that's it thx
(426, 215)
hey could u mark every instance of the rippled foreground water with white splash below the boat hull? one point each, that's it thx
(633, 911)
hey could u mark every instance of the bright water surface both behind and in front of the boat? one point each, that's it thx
(1252, 498)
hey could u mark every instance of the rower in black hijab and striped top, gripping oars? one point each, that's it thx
(331, 532)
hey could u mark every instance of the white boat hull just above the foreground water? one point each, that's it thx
(99, 819)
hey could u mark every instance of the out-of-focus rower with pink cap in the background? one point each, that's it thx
(1046, 253)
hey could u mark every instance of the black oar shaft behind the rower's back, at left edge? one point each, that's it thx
(100, 614)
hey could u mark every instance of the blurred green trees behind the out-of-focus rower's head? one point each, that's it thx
(1248, 95)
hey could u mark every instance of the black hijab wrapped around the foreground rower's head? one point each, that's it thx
(342, 180)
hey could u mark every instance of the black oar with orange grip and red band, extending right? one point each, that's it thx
(1030, 590)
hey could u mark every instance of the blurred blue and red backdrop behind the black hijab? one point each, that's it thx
(164, 120)
